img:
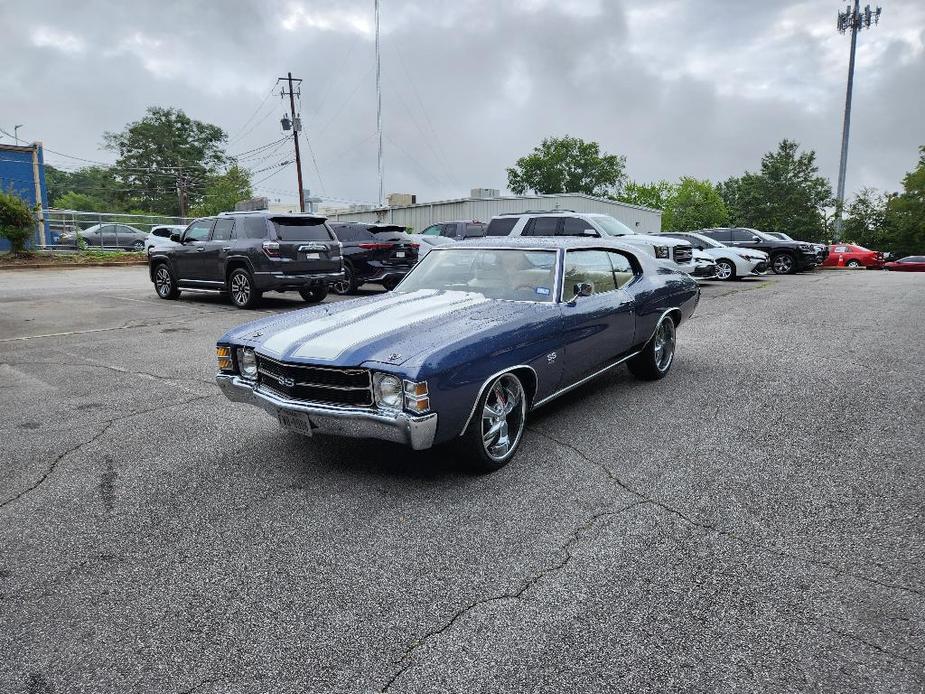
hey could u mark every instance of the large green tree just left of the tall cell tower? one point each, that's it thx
(787, 195)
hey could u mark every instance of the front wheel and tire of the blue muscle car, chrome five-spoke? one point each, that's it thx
(488, 438)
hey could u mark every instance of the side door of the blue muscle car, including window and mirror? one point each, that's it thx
(599, 328)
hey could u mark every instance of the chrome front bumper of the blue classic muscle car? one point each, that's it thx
(352, 422)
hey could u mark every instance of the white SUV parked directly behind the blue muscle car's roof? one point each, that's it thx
(674, 253)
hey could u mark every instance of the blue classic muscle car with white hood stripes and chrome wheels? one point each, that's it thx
(477, 335)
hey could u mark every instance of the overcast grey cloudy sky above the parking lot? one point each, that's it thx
(679, 87)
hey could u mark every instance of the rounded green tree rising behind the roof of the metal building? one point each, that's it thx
(567, 165)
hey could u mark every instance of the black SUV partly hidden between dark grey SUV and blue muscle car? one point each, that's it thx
(376, 253)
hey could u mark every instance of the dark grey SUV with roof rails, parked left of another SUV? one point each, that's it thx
(247, 253)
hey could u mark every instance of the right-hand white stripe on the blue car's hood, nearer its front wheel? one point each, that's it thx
(334, 343)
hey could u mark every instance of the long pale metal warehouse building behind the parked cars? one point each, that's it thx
(421, 215)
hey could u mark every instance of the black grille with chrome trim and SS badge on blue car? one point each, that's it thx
(320, 384)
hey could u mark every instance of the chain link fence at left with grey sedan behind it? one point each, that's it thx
(70, 230)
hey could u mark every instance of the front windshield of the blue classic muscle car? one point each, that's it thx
(508, 274)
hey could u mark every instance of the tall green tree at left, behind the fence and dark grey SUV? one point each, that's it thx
(164, 149)
